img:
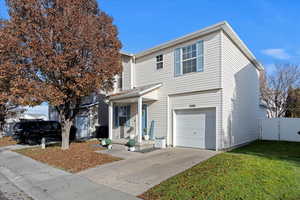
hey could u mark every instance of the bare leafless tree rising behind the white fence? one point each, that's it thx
(275, 87)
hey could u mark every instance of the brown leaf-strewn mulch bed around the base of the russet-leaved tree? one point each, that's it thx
(79, 157)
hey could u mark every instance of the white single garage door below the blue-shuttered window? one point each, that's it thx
(195, 128)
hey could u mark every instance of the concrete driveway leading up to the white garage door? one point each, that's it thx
(140, 172)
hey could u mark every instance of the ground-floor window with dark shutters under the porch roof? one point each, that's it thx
(122, 115)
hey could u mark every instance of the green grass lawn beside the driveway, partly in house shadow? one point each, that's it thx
(263, 170)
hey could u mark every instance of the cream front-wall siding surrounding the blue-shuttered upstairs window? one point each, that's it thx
(210, 79)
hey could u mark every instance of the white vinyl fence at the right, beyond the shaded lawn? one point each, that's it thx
(284, 129)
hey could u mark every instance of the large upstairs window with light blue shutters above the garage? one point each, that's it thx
(189, 59)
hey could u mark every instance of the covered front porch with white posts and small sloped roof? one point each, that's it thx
(129, 114)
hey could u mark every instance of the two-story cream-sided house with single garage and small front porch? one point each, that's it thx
(200, 90)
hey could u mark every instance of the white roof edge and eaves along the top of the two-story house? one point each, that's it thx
(224, 26)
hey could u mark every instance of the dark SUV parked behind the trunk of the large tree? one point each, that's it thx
(32, 132)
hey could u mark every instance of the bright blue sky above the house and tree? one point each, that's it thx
(268, 27)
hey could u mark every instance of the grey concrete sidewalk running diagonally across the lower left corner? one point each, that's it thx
(43, 182)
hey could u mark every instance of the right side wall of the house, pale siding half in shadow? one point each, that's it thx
(240, 93)
